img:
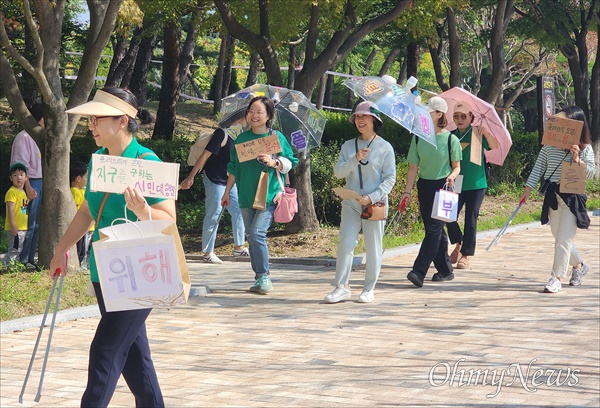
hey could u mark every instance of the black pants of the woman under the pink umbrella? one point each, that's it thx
(472, 200)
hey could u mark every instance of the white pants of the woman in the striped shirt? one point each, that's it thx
(563, 225)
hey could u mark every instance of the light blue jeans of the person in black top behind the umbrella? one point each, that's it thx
(210, 224)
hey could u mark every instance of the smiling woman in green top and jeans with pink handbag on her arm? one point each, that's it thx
(246, 175)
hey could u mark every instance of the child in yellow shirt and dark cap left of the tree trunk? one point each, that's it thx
(16, 211)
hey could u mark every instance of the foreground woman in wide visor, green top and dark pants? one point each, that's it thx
(120, 345)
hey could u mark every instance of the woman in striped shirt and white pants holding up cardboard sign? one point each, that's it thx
(566, 212)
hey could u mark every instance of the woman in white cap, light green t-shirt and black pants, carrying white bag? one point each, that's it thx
(438, 167)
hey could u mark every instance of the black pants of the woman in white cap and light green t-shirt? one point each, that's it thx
(435, 244)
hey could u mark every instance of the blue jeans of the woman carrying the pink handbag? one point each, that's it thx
(257, 223)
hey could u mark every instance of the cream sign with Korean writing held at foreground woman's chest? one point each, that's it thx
(112, 174)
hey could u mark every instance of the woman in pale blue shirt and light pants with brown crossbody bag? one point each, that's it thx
(369, 166)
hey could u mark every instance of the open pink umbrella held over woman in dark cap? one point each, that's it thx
(485, 117)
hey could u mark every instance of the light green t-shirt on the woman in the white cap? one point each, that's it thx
(434, 163)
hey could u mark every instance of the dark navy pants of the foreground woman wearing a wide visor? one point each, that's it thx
(120, 346)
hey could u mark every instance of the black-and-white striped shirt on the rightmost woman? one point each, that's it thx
(551, 158)
